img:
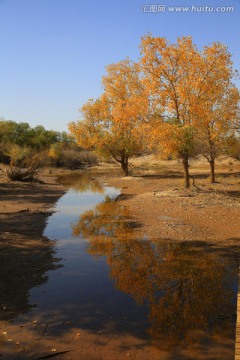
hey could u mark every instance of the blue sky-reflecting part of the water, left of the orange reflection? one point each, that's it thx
(81, 290)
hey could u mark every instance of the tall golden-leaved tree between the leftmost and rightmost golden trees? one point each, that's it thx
(171, 74)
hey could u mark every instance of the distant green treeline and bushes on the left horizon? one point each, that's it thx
(23, 146)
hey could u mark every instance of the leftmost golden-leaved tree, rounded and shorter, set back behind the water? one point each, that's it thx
(112, 123)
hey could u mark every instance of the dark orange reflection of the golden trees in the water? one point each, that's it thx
(188, 289)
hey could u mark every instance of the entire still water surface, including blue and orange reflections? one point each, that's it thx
(110, 280)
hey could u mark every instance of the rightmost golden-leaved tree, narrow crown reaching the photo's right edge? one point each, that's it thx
(219, 99)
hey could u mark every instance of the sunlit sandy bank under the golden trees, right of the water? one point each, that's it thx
(167, 210)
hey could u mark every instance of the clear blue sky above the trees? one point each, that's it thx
(53, 52)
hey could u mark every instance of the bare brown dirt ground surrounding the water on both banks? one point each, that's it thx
(157, 200)
